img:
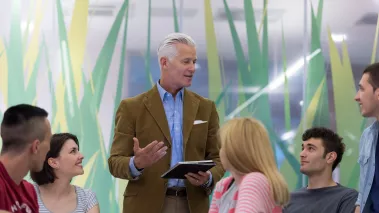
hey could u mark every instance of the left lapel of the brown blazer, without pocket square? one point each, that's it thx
(154, 105)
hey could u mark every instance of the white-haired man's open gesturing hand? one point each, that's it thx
(145, 157)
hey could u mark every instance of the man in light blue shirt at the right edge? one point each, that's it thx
(368, 100)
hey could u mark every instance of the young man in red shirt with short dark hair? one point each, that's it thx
(26, 133)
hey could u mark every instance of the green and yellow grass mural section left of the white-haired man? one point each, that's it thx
(20, 62)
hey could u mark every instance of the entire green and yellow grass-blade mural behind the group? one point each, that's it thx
(75, 101)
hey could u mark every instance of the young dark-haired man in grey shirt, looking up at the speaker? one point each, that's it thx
(322, 151)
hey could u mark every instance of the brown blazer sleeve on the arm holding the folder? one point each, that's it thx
(213, 148)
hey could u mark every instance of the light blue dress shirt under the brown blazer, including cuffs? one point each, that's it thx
(174, 114)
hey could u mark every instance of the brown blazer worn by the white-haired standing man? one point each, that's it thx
(144, 117)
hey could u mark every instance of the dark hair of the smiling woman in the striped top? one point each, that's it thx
(47, 175)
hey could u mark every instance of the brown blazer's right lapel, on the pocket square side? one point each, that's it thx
(190, 106)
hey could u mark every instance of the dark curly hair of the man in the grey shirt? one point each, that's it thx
(331, 142)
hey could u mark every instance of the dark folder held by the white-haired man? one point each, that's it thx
(180, 169)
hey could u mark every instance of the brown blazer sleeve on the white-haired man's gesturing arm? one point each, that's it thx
(122, 145)
